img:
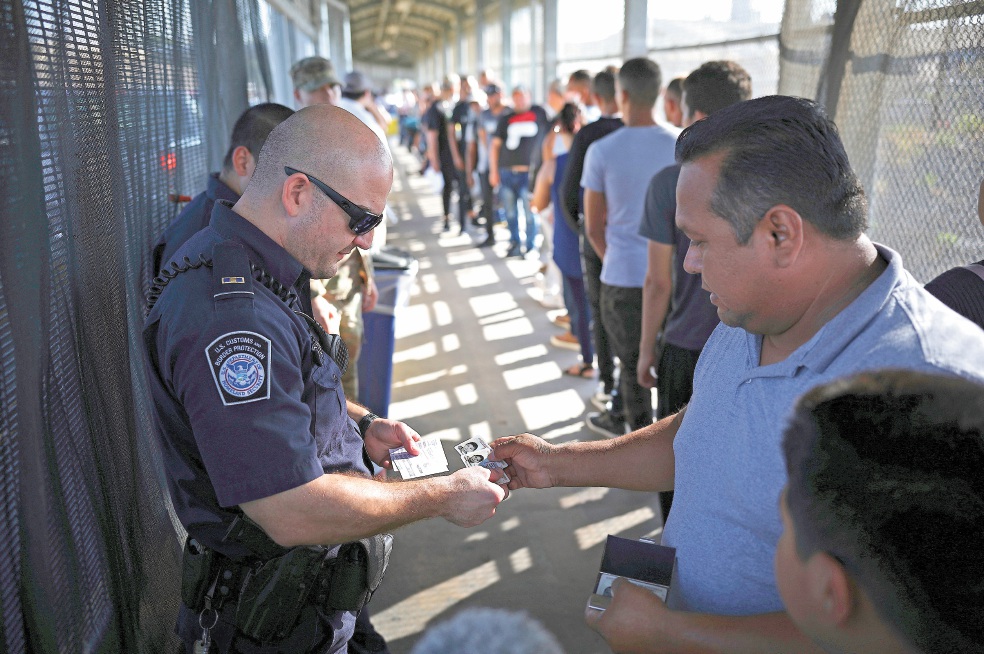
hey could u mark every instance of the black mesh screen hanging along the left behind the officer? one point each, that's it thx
(102, 127)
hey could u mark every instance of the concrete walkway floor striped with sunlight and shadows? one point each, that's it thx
(473, 358)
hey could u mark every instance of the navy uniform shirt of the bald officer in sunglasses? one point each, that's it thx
(245, 410)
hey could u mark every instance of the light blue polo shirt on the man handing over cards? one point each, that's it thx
(729, 465)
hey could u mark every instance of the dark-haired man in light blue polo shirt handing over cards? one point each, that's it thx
(776, 220)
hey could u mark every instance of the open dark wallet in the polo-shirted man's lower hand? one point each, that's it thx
(642, 562)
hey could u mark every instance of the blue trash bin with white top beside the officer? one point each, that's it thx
(395, 271)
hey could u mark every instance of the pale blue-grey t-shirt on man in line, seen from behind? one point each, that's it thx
(620, 165)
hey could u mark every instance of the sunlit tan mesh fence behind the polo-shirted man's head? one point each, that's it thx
(904, 80)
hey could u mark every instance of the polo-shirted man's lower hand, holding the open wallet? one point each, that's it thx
(635, 621)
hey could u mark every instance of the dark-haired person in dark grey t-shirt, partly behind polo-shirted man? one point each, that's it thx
(687, 326)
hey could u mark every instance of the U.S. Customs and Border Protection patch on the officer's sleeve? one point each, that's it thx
(240, 365)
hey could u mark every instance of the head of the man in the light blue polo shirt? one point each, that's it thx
(771, 205)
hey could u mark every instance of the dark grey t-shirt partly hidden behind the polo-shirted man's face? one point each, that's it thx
(692, 317)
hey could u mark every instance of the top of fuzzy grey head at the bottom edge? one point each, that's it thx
(489, 631)
